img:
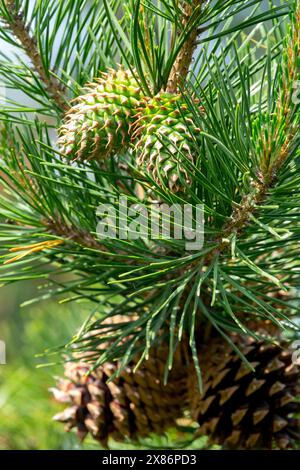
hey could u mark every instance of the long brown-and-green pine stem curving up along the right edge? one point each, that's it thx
(282, 127)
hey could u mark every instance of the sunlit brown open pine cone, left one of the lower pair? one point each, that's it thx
(134, 404)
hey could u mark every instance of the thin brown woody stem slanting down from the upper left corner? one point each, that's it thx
(15, 22)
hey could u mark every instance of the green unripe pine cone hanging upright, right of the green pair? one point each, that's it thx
(163, 133)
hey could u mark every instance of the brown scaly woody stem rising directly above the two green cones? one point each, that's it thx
(181, 66)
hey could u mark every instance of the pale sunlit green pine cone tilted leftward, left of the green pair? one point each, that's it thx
(98, 125)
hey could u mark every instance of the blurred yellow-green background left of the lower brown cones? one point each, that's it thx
(26, 406)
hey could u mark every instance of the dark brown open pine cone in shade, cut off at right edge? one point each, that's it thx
(241, 409)
